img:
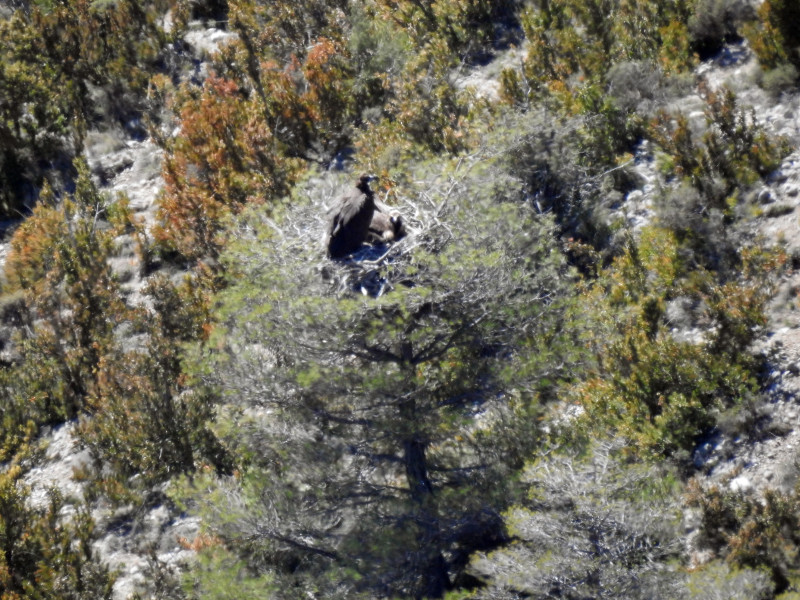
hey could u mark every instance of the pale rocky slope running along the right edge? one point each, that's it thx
(766, 456)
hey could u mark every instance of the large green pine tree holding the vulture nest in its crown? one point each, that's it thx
(382, 429)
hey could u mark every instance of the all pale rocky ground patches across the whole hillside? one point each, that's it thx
(766, 456)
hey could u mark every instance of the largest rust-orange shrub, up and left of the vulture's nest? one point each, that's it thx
(223, 159)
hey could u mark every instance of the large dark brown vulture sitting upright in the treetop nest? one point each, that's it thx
(350, 219)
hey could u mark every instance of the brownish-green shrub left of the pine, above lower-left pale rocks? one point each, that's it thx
(144, 418)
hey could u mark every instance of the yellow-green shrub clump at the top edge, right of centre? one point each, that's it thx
(576, 53)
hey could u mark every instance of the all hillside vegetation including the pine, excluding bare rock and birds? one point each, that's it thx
(511, 415)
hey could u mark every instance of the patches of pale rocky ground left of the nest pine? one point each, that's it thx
(156, 536)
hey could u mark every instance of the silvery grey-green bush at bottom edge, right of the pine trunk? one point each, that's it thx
(591, 526)
